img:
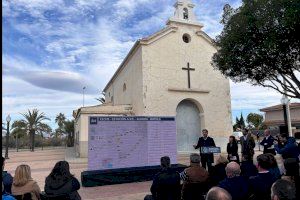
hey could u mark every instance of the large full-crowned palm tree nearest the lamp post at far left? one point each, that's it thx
(33, 121)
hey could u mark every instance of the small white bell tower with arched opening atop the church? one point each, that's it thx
(184, 13)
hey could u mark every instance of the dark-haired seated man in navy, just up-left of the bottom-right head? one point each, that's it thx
(260, 185)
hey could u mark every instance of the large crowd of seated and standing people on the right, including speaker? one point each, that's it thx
(231, 177)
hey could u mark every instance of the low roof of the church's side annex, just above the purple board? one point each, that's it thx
(104, 109)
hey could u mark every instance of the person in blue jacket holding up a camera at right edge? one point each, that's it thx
(288, 147)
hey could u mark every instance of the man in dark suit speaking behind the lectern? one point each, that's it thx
(205, 141)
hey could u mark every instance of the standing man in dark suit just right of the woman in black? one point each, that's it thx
(248, 144)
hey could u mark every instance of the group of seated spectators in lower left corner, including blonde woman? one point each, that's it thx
(60, 184)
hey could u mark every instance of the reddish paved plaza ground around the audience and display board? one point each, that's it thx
(41, 163)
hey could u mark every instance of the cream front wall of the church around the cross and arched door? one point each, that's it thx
(163, 61)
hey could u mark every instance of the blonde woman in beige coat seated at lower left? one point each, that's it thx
(24, 184)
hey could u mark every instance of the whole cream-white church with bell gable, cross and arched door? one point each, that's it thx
(168, 74)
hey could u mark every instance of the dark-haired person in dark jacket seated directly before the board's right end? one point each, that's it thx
(166, 183)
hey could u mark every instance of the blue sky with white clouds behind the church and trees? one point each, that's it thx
(52, 48)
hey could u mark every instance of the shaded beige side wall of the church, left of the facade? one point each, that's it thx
(131, 75)
